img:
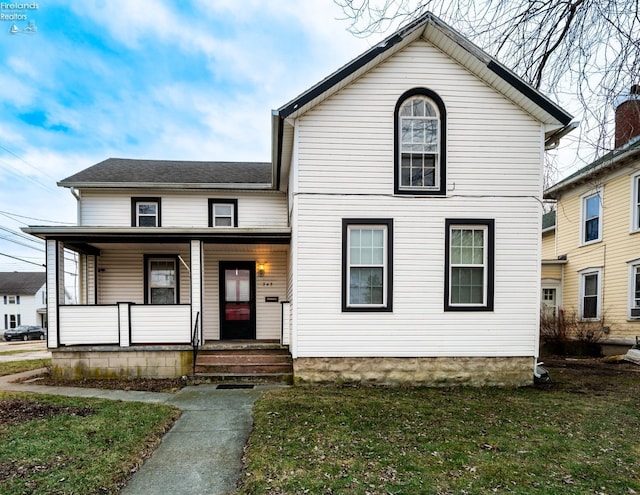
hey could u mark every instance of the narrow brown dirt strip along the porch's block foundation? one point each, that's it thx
(166, 385)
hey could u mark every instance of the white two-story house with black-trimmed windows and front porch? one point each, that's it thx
(393, 237)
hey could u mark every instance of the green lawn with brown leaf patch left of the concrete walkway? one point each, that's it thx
(63, 445)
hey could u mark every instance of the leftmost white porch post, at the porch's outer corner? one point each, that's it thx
(55, 289)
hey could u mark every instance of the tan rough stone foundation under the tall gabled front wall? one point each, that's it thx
(417, 371)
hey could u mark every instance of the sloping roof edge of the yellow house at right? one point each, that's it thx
(613, 160)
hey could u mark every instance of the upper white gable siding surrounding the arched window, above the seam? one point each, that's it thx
(346, 144)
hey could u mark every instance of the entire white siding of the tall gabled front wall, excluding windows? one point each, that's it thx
(343, 158)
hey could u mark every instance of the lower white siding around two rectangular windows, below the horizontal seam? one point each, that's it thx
(418, 325)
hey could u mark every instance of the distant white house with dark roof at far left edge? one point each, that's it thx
(23, 299)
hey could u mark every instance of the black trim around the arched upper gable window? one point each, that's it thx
(442, 165)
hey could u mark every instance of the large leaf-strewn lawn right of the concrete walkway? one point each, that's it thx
(577, 436)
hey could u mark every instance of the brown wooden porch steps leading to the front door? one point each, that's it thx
(243, 363)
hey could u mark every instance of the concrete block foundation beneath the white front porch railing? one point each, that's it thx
(77, 363)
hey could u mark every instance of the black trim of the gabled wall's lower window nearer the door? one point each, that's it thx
(388, 223)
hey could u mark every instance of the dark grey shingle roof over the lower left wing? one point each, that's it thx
(128, 172)
